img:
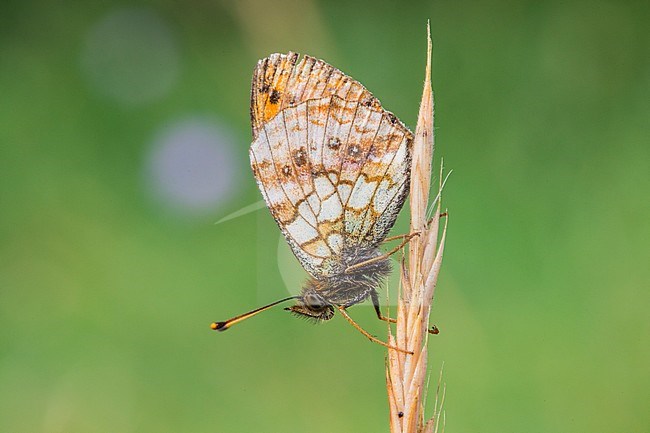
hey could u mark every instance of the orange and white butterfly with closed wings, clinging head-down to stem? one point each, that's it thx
(334, 169)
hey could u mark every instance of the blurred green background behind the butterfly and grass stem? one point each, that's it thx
(124, 131)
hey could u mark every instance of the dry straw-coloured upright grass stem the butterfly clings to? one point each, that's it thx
(406, 374)
